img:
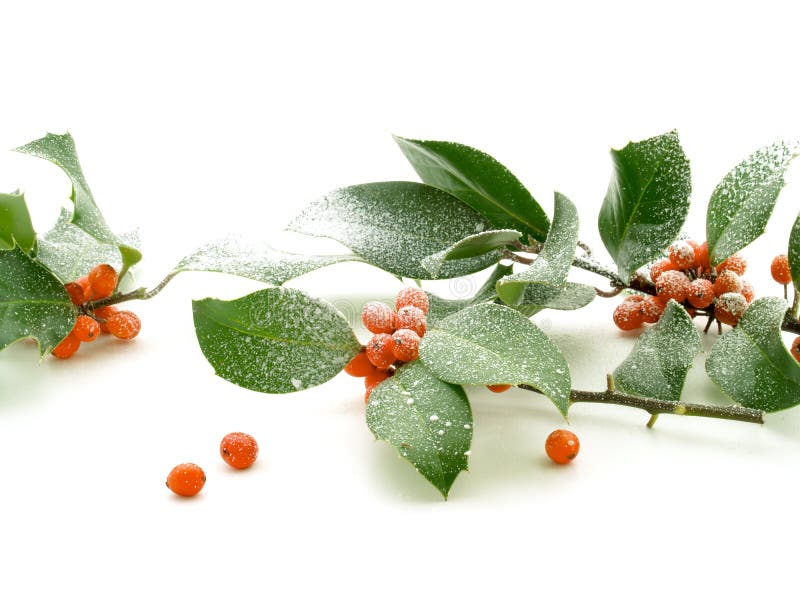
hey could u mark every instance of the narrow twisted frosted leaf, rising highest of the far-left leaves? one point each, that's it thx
(60, 150)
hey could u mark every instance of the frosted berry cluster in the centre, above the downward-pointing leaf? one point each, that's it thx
(396, 338)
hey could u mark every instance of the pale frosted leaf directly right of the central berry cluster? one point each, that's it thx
(490, 344)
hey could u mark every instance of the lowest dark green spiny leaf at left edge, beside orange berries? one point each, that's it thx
(33, 303)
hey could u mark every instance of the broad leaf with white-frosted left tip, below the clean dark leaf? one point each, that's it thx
(394, 225)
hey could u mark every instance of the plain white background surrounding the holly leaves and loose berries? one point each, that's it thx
(197, 119)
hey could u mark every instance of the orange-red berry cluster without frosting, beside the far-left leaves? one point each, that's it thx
(100, 283)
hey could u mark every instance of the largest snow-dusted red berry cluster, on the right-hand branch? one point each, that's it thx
(687, 277)
